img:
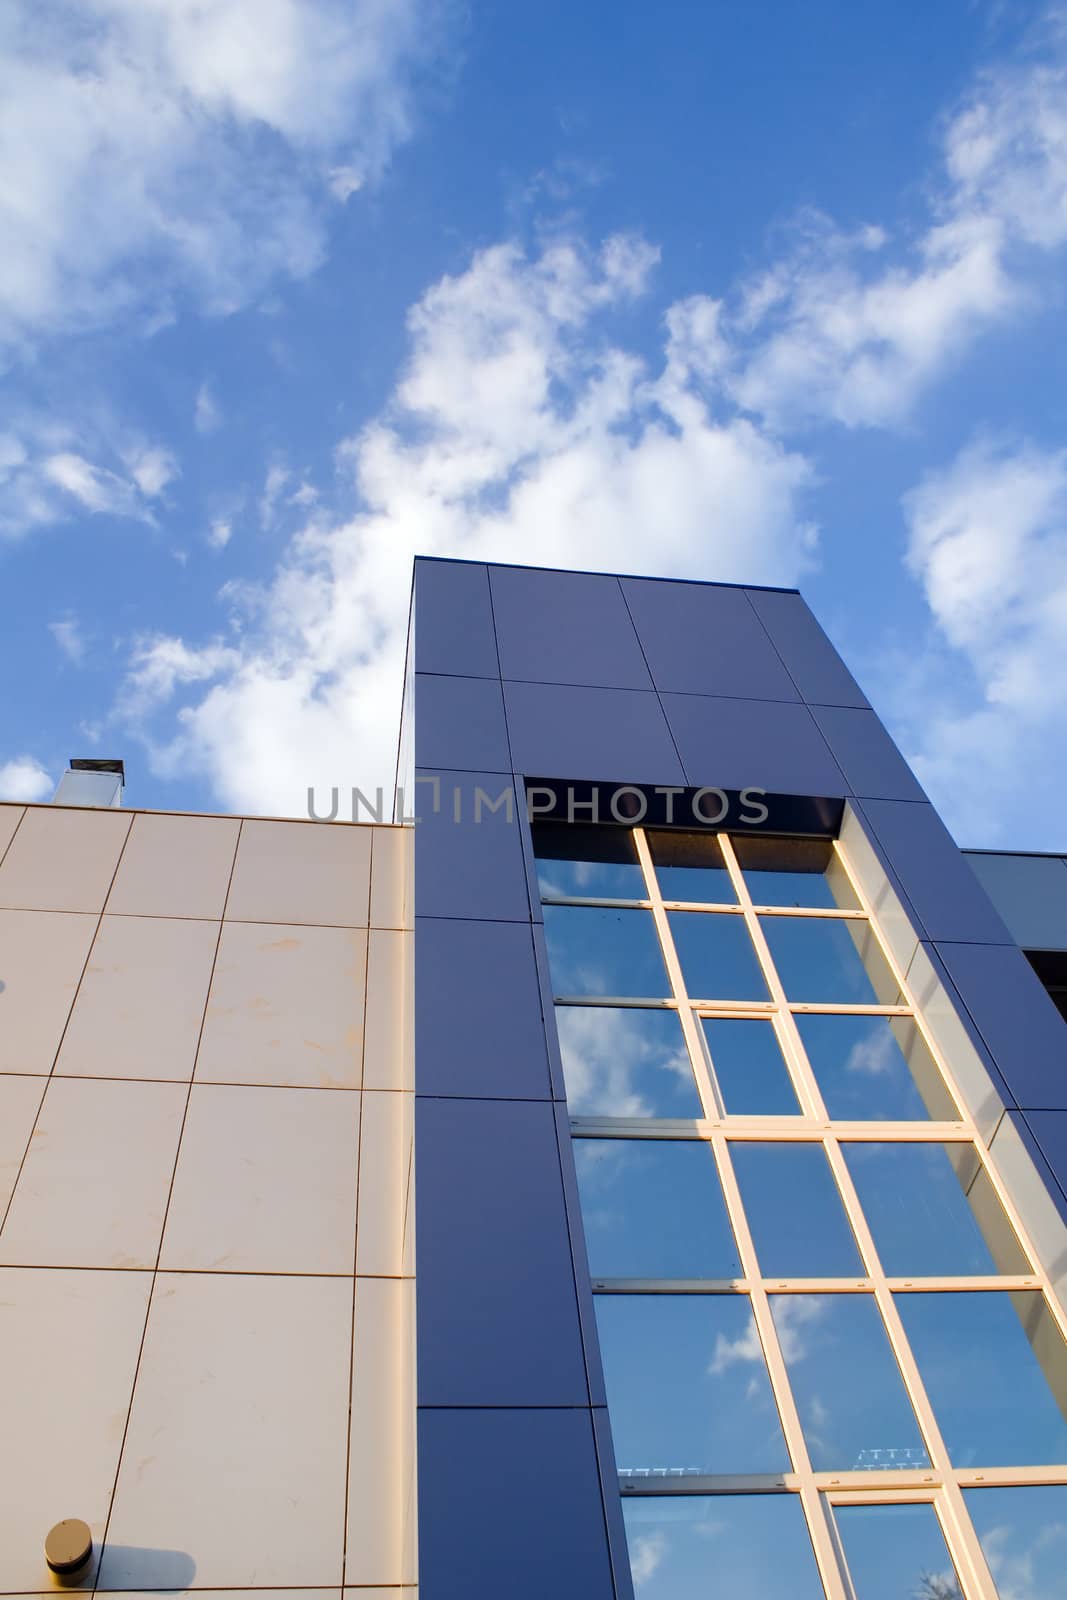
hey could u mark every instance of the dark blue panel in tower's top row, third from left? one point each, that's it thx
(701, 639)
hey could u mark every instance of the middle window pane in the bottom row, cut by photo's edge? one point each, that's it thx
(897, 1553)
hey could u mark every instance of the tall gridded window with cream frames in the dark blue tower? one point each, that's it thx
(823, 1330)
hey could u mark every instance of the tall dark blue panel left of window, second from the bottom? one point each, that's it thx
(497, 1308)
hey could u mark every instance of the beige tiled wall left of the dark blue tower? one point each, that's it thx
(207, 1300)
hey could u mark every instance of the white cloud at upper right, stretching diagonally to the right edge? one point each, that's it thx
(853, 327)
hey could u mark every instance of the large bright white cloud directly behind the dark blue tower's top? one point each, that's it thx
(518, 431)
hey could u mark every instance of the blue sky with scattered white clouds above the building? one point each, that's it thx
(295, 289)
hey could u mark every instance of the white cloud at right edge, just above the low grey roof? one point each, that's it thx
(988, 540)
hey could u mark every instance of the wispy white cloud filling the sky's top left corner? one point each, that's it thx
(154, 148)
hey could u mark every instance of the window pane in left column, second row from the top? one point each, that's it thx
(596, 951)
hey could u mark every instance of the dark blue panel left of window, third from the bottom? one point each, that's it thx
(478, 1026)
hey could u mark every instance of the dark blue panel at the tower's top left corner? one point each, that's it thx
(454, 620)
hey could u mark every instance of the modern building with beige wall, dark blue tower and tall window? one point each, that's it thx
(729, 1087)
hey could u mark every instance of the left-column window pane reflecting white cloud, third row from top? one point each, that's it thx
(621, 1062)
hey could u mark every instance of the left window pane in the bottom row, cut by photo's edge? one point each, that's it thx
(730, 1546)
